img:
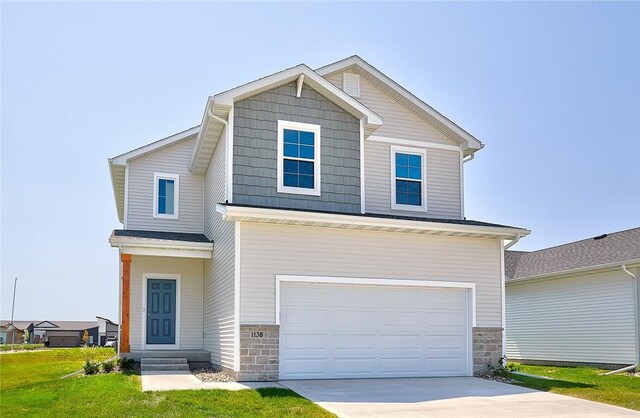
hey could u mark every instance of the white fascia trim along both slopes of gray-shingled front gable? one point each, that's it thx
(311, 78)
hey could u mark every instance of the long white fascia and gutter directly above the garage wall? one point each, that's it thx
(238, 213)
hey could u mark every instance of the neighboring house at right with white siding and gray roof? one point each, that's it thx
(575, 303)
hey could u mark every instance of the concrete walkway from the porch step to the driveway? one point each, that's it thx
(182, 380)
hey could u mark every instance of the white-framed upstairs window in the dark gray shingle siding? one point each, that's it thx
(298, 158)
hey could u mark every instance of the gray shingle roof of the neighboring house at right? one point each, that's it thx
(617, 247)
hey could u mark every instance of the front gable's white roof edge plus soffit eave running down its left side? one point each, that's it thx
(217, 110)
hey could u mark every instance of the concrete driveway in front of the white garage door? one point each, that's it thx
(444, 397)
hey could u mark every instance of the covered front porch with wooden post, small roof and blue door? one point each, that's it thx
(161, 288)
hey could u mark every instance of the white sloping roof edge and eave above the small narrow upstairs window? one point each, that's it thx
(117, 164)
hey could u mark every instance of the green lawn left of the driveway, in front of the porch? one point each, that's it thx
(119, 395)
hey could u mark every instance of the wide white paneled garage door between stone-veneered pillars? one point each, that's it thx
(347, 331)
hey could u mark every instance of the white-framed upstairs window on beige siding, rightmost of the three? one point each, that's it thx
(408, 172)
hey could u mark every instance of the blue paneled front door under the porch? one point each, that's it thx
(161, 311)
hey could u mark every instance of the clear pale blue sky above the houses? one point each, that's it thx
(552, 89)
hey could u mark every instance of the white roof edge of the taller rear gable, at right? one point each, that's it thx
(406, 98)
